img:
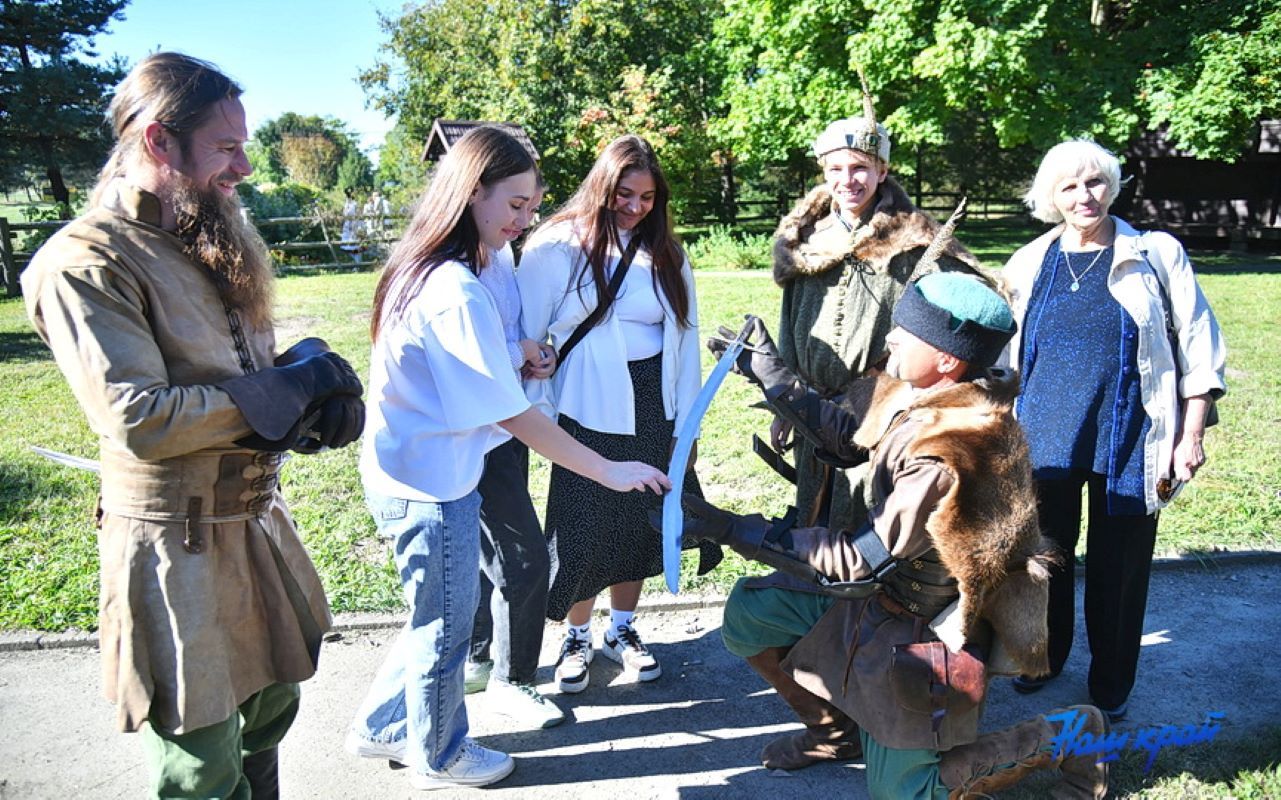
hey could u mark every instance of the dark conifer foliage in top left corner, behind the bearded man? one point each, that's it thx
(52, 103)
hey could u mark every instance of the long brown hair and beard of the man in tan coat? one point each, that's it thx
(183, 94)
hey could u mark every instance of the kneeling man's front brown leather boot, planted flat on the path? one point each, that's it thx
(829, 735)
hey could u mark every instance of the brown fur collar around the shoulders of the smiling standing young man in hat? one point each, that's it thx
(896, 227)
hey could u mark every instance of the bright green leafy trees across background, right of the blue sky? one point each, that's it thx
(973, 92)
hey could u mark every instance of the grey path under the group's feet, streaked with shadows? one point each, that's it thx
(1211, 647)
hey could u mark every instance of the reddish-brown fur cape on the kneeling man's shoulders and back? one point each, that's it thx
(986, 531)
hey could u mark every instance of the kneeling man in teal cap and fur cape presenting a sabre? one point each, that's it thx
(882, 638)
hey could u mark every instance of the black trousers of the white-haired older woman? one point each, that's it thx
(1118, 566)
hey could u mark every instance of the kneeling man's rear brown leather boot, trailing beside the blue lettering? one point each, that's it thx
(999, 761)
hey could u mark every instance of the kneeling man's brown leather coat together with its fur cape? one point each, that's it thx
(963, 460)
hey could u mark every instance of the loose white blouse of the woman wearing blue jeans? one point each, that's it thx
(440, 381)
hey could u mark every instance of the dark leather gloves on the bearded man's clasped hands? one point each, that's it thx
(276, 401)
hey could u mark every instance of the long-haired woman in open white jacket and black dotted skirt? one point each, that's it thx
(622, 391)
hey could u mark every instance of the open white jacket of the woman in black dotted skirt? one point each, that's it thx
(594, 386)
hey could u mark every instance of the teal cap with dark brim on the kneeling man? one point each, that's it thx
(958, 314)
